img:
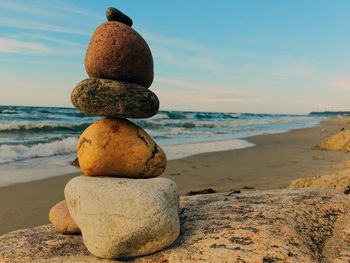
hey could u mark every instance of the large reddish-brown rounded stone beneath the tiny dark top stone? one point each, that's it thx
(118, 52)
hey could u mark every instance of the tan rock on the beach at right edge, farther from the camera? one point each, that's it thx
(336, 142)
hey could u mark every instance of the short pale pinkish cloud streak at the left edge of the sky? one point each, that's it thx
(8, 45)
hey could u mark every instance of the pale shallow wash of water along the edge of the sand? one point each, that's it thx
(56, 164)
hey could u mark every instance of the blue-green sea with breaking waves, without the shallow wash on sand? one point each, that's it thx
(37, 132)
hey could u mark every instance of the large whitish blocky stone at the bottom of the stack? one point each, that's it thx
(124, 217)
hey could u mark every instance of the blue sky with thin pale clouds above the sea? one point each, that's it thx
(271, 56)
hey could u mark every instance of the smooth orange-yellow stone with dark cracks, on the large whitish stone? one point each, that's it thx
(118, 147)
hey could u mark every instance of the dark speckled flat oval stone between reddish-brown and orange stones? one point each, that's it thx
(112, 98)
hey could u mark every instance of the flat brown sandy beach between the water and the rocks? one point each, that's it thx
(276, 160)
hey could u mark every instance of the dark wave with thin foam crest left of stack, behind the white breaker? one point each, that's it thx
(25, 126)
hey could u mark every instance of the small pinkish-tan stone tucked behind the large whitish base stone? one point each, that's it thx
(60, 217)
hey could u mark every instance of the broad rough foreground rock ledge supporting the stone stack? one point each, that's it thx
(266, 226)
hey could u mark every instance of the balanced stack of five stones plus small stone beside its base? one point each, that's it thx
(120, 205)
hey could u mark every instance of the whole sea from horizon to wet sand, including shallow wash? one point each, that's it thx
(40, 138)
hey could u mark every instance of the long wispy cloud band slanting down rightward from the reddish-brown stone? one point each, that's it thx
(185, 54)
